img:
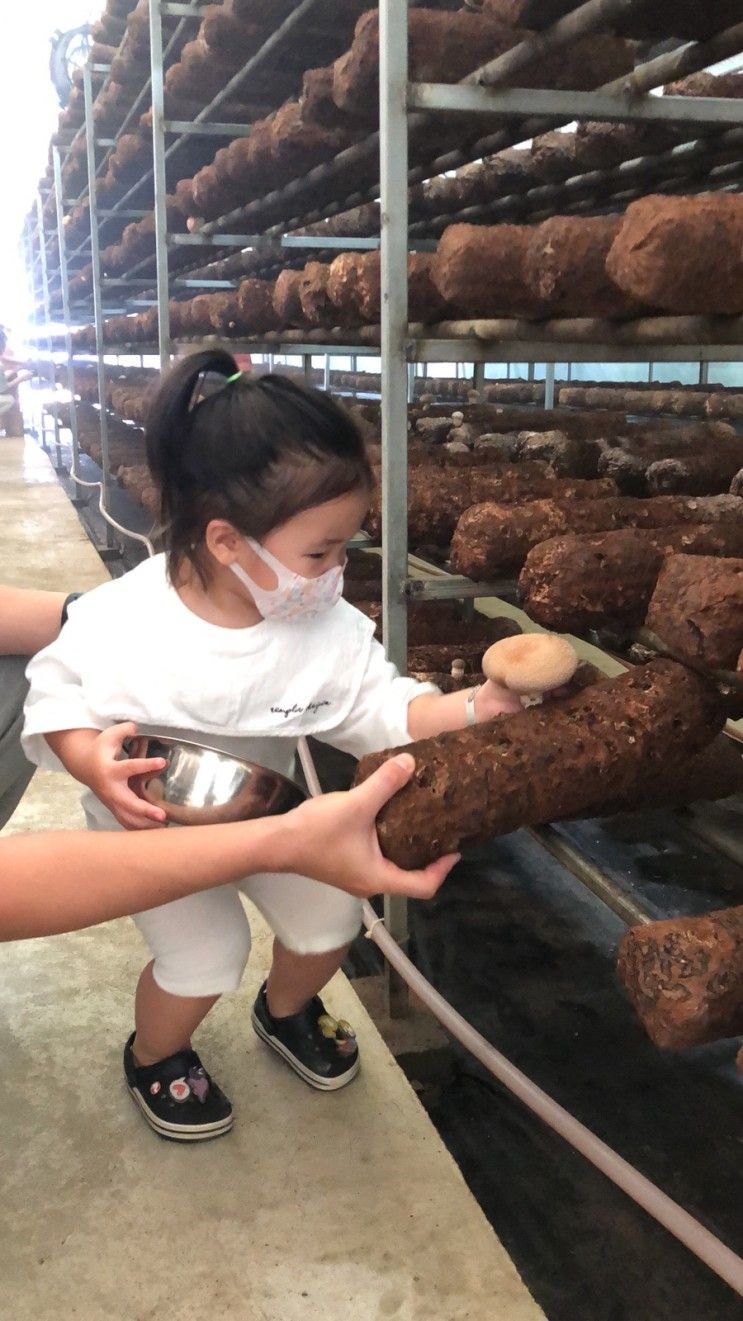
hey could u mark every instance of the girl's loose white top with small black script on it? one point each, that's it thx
(132, 651)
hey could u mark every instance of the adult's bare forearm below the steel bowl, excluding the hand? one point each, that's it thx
(60, 882)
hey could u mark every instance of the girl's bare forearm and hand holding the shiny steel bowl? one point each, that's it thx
(96, 759)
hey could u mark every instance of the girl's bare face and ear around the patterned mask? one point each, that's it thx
(311, 542)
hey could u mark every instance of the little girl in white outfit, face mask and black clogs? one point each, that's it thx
(237, 637)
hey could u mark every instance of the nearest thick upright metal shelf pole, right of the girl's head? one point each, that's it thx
(395, 220)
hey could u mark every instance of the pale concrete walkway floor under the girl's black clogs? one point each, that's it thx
(315, 1207)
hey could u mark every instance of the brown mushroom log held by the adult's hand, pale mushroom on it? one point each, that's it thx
(549, 762)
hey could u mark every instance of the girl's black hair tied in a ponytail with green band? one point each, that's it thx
(254, 451)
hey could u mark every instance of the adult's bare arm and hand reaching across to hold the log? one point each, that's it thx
(61, 882)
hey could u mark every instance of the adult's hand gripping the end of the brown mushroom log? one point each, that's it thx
(336, 839)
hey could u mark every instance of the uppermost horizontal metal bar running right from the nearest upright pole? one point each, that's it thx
(573, 105)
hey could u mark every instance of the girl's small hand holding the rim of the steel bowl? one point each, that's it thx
(108, 775)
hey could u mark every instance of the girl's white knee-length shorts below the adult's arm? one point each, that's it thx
(200, 944)
